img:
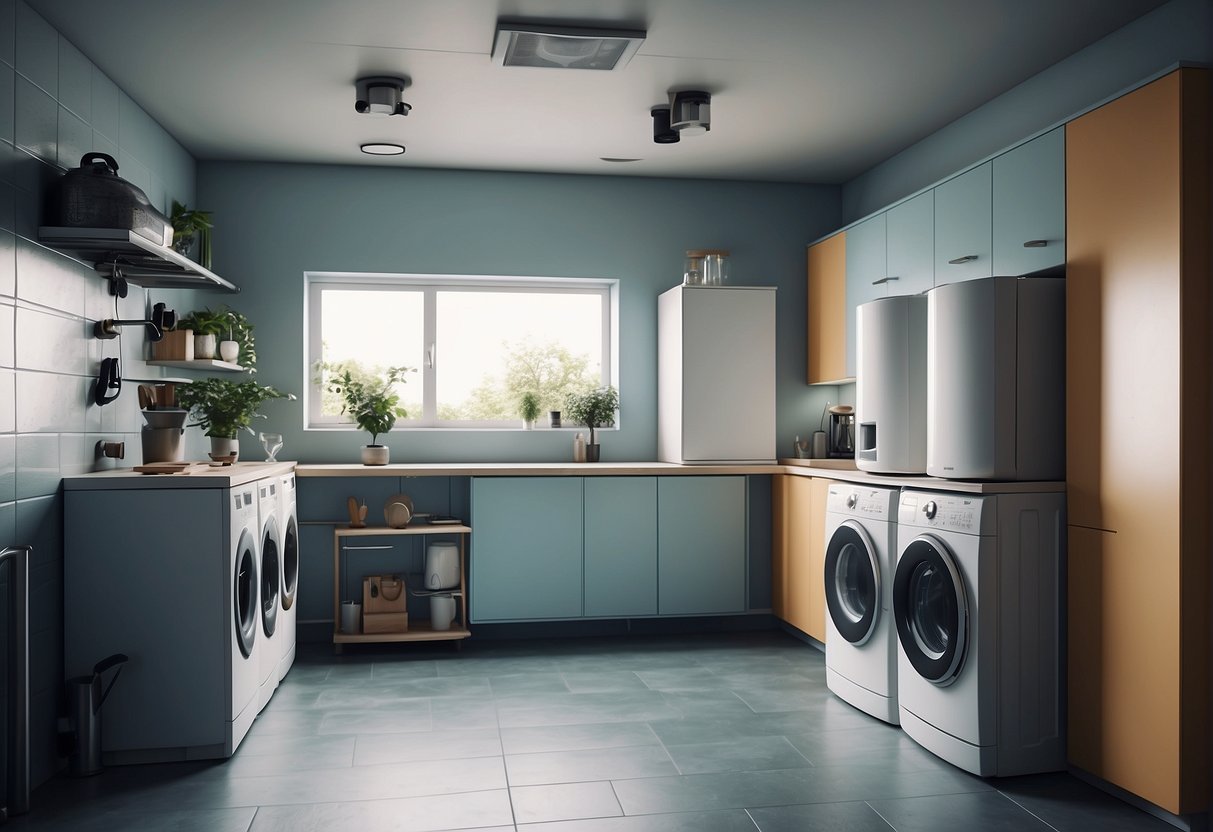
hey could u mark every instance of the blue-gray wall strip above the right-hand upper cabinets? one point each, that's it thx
(1180, 31)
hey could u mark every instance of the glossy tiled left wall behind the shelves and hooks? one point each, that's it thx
(56, 106)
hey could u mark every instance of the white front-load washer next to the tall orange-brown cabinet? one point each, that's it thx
(977, 600)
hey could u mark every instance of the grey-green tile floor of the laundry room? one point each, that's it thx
(705, 734)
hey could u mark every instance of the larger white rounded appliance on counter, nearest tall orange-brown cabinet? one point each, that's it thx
(996, 380)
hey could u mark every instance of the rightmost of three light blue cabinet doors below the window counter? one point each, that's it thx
(702, 545)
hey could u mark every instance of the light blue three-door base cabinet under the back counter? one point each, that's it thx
(567, 548)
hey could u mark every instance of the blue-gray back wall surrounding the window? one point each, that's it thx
(276, 223)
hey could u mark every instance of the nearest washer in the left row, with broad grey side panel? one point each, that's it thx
(169, 577)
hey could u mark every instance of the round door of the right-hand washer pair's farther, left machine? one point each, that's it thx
(853, 583)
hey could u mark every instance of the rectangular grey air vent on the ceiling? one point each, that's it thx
(565, 47)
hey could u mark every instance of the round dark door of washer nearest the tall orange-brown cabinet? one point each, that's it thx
(931, 611)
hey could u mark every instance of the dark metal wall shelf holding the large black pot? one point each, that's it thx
(140, 260)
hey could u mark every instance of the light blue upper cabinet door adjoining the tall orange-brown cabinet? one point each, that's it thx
(1029, 207)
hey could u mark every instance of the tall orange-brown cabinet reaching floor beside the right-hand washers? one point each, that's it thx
(1138, 423)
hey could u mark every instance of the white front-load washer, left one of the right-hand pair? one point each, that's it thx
(862, 643)
